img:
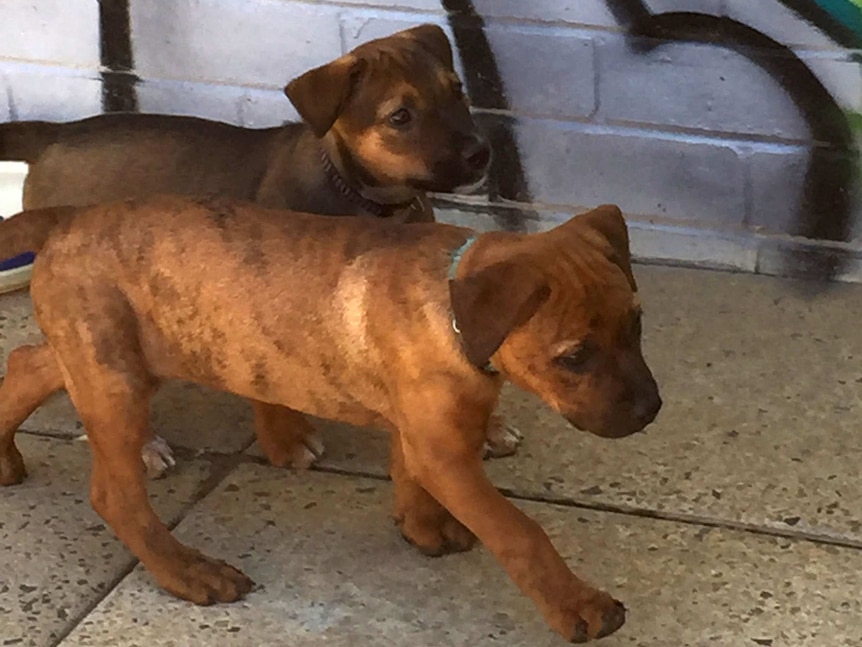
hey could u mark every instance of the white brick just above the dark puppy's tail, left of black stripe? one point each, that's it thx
(55, 94)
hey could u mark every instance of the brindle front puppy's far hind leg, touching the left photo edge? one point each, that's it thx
(32, 374)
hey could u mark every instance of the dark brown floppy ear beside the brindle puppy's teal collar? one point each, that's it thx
(492, 302)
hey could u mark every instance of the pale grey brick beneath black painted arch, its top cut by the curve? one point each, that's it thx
(694, 86)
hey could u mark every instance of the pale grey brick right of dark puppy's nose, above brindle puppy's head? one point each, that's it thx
(698, 182)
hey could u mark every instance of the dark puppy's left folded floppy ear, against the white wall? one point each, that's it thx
(320, 94)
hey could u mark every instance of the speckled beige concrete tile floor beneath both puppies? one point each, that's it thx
(734, 521)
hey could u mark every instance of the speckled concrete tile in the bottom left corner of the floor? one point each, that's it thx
(57, 557)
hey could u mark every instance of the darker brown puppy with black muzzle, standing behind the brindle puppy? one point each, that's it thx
(383, 124)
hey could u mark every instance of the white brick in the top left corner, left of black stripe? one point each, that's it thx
(58, 31)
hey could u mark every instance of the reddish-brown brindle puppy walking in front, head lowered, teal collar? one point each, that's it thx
(412, 329)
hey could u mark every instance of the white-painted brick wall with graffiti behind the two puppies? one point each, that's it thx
(708, 147)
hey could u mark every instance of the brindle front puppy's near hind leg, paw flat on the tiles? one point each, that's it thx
(113, 399)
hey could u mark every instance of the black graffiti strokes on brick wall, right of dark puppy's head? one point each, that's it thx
(832, 174)
